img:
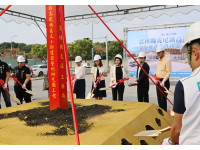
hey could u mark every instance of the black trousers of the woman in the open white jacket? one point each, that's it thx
(118, 90)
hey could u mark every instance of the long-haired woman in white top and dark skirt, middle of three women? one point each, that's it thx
(96, 70)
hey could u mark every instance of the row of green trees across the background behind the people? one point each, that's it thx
(82, 48)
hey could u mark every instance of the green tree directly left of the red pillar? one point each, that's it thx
(39, 51)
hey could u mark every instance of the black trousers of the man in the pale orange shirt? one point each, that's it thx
(162, 100)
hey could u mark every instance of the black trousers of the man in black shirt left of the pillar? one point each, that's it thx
(22, 95)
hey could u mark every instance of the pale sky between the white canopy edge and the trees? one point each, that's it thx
(31, 34)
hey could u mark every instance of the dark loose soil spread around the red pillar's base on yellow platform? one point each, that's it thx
(62, 119)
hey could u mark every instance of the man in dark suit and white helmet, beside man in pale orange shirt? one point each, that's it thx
(142, 79)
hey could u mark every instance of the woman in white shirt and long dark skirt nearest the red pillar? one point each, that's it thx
(79, 86)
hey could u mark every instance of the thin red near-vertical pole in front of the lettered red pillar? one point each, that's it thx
(68, 72)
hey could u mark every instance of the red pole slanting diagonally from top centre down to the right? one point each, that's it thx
(127, 51)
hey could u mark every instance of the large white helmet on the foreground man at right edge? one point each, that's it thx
(191, 34)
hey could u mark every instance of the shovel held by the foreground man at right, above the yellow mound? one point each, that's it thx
(152, 133)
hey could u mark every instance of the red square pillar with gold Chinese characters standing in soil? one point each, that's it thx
(56, 59)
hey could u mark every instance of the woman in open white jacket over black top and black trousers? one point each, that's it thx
(118, 72)
